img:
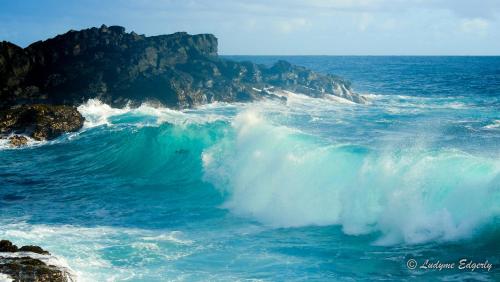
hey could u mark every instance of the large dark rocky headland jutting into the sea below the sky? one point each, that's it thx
(178, 70)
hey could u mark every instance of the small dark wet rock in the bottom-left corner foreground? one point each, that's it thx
(26, 264)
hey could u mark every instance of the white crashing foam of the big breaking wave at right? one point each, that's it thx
(286, 178)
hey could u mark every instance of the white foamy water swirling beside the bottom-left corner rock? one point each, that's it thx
(82, 250)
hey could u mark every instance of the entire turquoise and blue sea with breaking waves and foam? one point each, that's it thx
(308, 190)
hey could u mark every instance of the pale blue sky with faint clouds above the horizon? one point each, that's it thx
(278, 27)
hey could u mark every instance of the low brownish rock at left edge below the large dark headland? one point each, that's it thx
(41, 122)
